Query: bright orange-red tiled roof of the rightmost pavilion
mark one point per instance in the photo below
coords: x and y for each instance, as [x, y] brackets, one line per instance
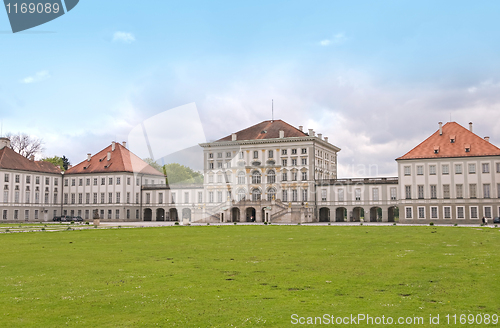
[463, 139]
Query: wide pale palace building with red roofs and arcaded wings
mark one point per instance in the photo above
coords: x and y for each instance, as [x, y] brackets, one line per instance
[270, 172]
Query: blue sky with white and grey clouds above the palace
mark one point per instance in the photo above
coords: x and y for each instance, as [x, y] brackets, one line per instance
[375, 77]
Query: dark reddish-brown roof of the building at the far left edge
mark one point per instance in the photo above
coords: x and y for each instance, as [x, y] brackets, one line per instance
[11, 160]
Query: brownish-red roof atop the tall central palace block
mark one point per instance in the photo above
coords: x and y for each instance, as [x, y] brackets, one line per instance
[266, 130]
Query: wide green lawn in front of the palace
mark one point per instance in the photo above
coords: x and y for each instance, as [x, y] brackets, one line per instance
[245, 276]
